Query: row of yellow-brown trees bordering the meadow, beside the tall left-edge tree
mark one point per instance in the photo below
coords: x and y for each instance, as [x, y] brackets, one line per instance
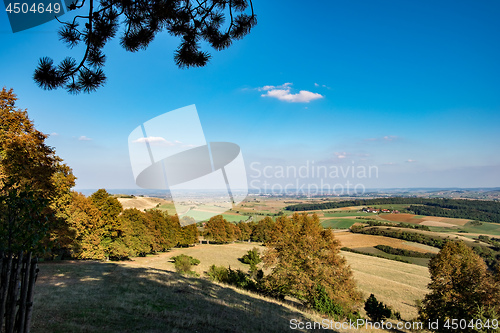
[97, 227]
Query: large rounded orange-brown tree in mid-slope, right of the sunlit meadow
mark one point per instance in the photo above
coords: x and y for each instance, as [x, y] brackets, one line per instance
[304, 260]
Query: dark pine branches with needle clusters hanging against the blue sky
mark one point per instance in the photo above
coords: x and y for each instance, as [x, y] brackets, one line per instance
[142, 20]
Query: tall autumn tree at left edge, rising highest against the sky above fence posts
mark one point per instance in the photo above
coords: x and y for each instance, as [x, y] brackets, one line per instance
[34, 182]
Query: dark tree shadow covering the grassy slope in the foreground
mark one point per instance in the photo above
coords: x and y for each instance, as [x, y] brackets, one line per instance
[84, 296]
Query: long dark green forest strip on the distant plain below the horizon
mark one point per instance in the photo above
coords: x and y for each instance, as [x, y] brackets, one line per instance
[488, 211]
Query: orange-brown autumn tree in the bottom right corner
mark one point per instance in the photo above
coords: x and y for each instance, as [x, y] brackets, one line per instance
[461, 287]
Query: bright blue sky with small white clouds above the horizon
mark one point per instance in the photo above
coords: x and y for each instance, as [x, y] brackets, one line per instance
[409, 90]
